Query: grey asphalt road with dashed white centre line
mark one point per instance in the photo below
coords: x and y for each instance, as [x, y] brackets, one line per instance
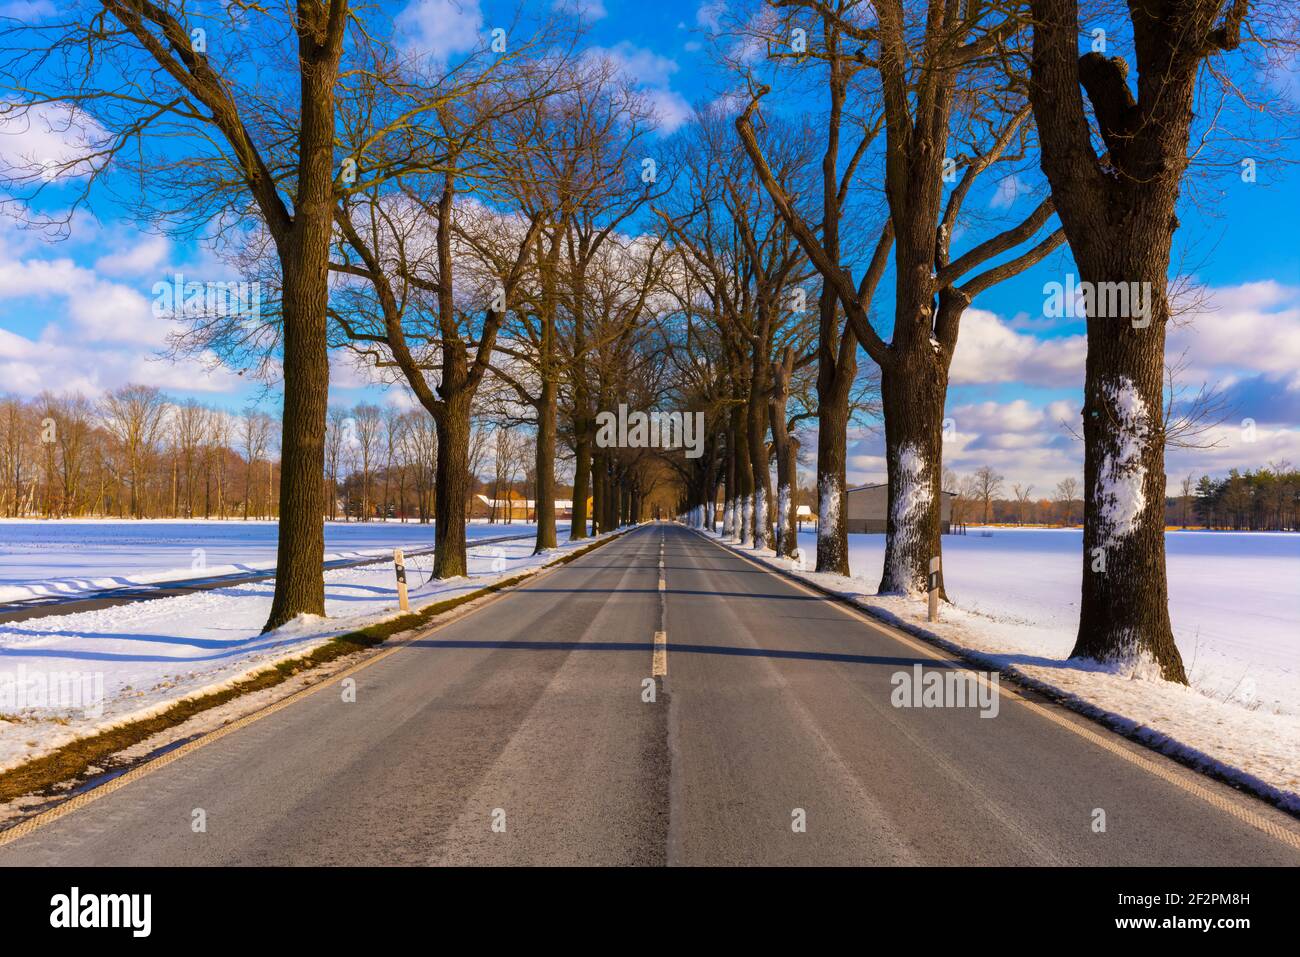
[521, 735]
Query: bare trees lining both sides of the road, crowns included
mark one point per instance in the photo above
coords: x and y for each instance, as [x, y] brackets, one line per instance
[508, 231]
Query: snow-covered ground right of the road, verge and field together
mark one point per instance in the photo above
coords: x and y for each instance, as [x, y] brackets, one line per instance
[1236, 607]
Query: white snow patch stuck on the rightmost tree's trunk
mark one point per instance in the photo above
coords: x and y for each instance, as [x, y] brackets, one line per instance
[1121, 479]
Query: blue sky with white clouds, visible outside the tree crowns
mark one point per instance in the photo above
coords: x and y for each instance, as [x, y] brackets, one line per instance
[76, 315]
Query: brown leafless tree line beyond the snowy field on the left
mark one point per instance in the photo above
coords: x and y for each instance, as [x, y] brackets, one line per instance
[138, 453]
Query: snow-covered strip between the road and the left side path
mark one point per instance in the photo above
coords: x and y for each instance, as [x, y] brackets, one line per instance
[66, 677]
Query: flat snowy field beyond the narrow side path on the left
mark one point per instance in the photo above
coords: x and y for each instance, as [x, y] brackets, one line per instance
[42, 558]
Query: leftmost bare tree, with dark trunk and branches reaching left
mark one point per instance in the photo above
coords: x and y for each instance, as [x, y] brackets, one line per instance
[219, 136]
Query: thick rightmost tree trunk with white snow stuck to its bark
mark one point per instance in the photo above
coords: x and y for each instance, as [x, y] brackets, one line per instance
[1120, 219]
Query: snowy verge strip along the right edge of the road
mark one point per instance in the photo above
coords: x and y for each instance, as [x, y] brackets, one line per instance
[1259, 752]
